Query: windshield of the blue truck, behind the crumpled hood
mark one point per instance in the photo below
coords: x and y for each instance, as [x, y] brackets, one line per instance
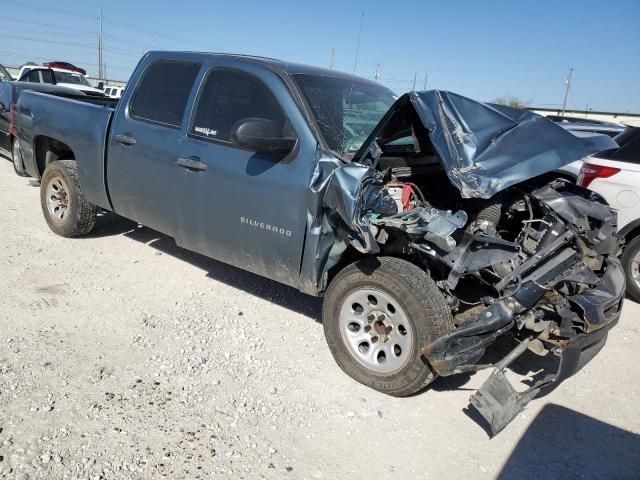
[346, 110]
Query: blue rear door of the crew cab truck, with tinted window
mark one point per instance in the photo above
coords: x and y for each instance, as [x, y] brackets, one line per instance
[145, 142]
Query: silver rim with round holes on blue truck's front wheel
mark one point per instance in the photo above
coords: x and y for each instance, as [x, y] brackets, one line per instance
[376, 330]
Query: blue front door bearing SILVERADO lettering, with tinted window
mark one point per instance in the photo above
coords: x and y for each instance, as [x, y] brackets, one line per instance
[244, 208]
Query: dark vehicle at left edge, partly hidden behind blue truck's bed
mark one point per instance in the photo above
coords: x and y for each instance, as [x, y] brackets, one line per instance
[9, 94]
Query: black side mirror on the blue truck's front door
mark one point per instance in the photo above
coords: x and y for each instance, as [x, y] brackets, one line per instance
[261, 135]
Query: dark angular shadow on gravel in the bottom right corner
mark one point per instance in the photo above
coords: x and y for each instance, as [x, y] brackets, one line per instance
[561, 443]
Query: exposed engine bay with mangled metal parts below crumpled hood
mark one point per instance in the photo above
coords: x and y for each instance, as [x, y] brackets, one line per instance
[483, 252]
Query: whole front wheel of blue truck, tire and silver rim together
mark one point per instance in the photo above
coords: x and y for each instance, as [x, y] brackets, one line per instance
[378, 313]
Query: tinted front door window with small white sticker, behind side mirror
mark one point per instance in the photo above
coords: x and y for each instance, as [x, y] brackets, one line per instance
[229, 96]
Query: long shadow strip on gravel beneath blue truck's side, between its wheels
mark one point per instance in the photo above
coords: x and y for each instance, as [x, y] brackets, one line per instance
[108, 224]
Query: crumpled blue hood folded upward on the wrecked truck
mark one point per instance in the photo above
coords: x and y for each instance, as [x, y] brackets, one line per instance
[486, 148]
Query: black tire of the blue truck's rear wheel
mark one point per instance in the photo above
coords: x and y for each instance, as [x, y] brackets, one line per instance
[79, 216]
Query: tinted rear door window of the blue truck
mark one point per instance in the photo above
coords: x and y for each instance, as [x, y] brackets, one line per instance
[163, 92]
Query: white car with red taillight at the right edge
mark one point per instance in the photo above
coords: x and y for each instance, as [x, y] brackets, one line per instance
[615, 175]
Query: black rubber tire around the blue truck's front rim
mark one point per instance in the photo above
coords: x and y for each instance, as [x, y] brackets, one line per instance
[418, 296]
